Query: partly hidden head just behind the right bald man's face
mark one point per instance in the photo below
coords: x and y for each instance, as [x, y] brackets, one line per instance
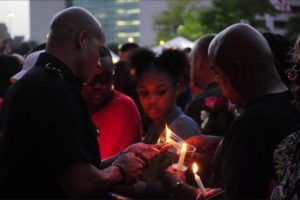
[201, 74]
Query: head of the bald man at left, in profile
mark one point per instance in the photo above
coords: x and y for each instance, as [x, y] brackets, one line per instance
[75, 38]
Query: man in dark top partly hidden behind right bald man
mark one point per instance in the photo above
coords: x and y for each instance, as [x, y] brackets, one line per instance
[219, 116]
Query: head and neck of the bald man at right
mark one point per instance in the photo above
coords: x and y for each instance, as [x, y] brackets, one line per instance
[243, 64]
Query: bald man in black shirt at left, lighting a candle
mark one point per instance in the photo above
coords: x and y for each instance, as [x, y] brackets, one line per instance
[49, 144]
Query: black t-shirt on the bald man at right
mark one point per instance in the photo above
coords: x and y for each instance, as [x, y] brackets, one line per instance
[243, 164]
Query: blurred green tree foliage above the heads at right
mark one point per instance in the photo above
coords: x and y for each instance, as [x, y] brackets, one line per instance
[186, 18]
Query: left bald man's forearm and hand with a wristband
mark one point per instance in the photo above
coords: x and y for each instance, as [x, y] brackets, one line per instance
[82, 180]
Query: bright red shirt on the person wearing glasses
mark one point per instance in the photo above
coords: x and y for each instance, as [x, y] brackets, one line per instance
[119, 123]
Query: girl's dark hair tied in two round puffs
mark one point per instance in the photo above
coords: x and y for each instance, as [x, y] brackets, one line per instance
[173, 62]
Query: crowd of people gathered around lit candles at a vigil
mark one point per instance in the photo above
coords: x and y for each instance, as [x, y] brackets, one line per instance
[73, 124]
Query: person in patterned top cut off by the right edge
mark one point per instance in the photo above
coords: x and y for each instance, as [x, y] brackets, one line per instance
[286, 155]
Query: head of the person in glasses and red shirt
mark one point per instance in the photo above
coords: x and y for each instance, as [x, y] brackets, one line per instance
[98, 90]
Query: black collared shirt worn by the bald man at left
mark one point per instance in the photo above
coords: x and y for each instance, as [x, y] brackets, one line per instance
[46, 127]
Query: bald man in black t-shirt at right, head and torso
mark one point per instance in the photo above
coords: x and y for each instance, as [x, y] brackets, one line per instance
[241, 60]
